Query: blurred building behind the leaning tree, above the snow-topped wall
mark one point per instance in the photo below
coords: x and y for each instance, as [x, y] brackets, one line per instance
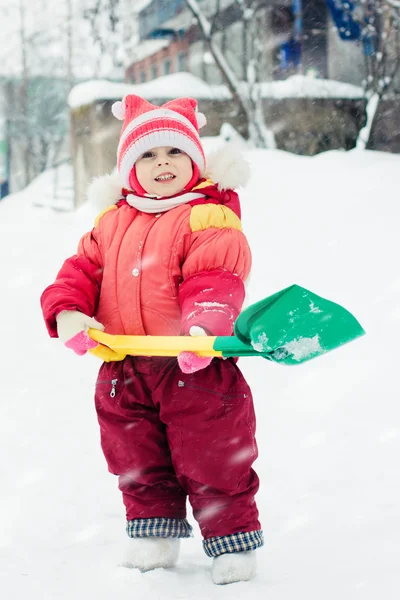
[299, 37]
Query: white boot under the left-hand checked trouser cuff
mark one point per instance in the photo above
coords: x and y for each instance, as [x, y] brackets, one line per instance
[152, 553]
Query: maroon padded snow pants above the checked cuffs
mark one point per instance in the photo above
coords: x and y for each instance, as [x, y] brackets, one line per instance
[169, 435]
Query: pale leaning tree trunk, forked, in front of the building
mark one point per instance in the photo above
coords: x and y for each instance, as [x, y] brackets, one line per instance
[247, 94]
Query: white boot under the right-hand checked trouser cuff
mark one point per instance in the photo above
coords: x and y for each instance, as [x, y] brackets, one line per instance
[238, 566]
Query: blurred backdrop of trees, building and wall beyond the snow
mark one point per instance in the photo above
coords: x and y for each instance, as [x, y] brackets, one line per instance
[305, 76]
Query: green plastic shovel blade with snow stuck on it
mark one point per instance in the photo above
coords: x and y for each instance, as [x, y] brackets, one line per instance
[293, 326]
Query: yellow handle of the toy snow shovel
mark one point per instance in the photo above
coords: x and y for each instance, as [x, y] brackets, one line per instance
[117, 347]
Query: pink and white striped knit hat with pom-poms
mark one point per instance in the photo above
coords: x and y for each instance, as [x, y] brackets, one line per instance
[146, 126]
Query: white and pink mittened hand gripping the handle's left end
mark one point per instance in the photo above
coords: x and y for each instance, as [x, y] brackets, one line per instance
[72, 327]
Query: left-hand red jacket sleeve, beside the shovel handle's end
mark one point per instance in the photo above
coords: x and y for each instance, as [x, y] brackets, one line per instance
[77, 285]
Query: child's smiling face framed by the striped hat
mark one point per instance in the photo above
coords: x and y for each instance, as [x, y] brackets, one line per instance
[164, 171]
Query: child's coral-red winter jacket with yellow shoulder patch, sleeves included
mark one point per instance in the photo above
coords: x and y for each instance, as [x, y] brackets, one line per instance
[158, 274]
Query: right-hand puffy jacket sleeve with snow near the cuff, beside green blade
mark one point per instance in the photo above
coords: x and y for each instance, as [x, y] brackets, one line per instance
[214, 271]
